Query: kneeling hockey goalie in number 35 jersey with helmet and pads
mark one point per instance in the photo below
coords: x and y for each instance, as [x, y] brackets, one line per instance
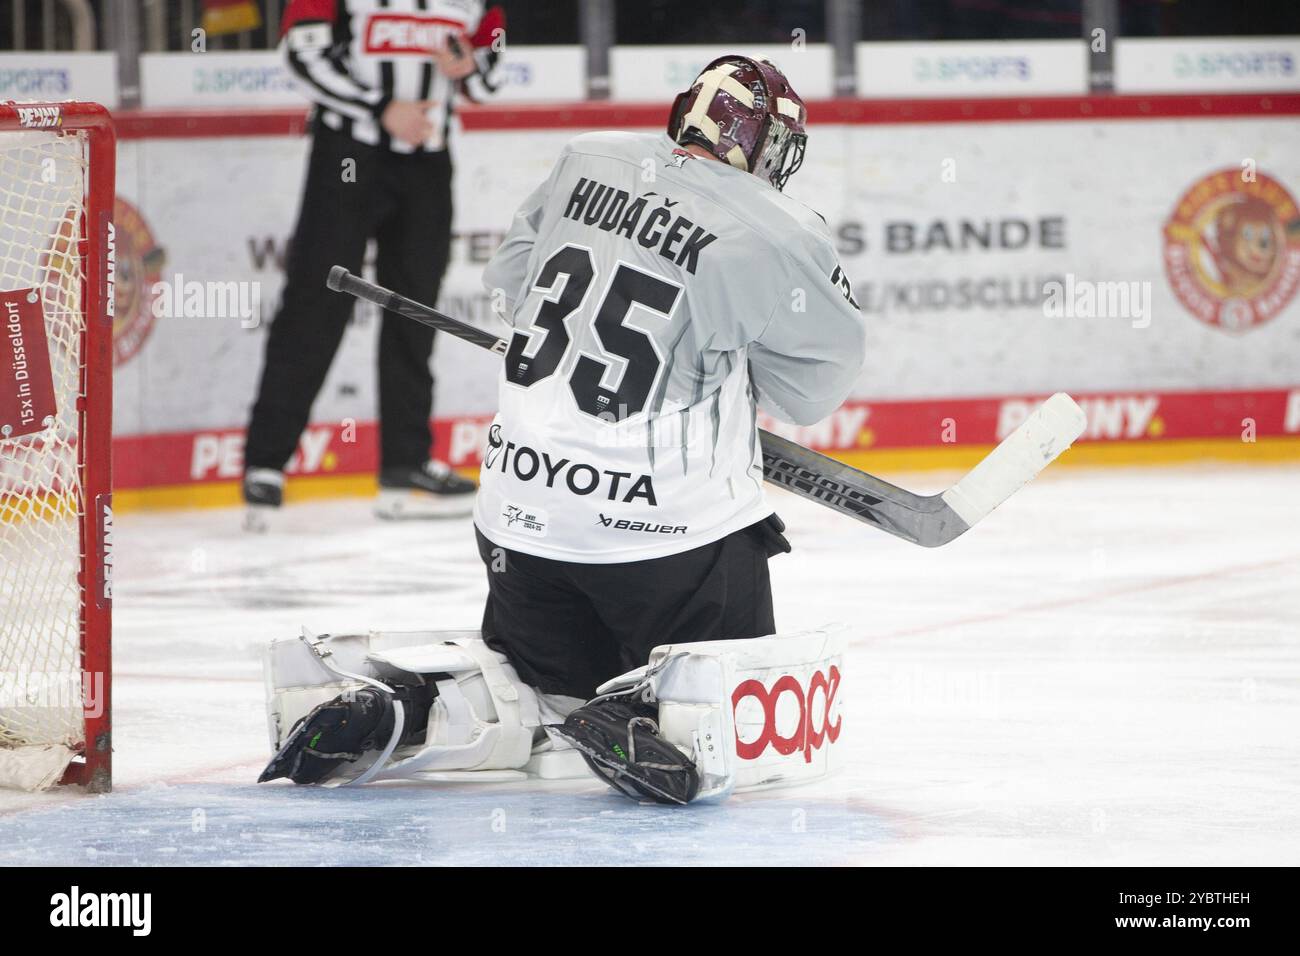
[660, 289]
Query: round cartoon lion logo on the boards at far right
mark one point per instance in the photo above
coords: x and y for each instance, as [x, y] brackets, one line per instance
[1233, 249]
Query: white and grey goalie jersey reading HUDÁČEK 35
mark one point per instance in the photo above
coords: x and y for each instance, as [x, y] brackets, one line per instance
[657, 300]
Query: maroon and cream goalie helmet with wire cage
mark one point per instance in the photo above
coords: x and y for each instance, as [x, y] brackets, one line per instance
[746, 114]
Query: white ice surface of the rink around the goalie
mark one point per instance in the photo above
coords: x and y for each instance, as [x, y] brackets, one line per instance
[1106, 672]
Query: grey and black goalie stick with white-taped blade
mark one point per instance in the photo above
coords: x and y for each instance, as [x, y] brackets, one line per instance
[925, 520]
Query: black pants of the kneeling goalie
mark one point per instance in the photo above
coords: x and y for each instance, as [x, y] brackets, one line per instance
[570, 628]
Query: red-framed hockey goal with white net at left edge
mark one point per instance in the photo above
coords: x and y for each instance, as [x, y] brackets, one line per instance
[57, 197]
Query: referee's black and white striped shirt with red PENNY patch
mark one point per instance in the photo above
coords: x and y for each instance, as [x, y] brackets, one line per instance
[353, 58]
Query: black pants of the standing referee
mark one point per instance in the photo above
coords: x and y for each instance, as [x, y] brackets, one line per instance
[356, 193]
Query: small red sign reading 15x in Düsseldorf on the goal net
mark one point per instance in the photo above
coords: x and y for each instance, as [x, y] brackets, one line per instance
[27, 383]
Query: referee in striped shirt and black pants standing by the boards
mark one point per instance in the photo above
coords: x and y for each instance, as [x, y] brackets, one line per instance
[383, 76]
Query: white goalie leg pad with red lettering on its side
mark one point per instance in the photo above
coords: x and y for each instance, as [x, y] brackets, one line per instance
[753, 713]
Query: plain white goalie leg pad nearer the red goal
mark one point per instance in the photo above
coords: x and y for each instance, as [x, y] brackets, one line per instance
[484, 717]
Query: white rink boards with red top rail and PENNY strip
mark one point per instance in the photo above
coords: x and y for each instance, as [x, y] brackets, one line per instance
[1002, 250]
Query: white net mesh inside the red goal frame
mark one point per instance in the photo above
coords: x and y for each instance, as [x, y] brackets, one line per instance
[42, 204]
